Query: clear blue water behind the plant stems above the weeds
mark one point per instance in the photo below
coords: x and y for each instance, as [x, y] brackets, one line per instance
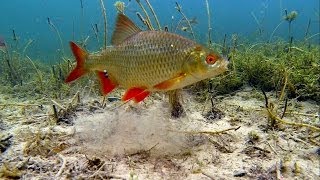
[29, 19]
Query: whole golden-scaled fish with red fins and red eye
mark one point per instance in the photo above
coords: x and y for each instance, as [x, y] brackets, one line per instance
[143, 62]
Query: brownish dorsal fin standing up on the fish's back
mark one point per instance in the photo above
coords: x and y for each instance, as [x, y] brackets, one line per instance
[124, 29]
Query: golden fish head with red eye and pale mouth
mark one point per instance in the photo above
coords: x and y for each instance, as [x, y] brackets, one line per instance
[203, 63]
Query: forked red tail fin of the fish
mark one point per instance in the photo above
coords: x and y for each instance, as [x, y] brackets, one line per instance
[80, 56]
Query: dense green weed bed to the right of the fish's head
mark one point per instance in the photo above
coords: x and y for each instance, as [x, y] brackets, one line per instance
[271, 67]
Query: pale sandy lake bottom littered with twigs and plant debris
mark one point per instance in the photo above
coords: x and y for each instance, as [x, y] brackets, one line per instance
[232, 140]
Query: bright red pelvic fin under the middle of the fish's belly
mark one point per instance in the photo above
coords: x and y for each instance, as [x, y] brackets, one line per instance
[137, 94]
